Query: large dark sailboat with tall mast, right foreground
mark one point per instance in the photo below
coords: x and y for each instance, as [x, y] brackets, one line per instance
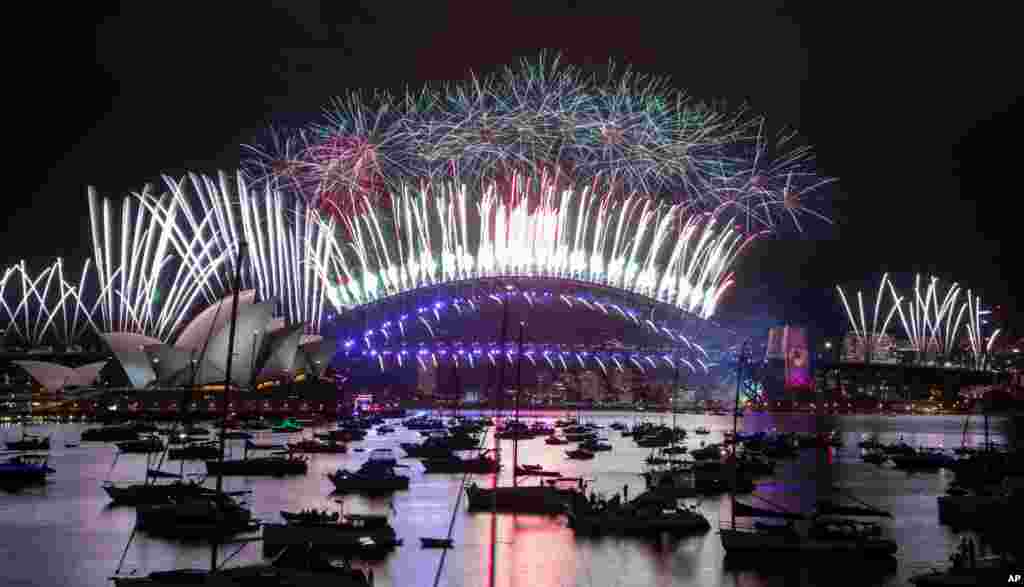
[831, 530]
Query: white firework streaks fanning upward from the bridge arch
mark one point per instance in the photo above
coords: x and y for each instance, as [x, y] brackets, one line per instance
[534, 230]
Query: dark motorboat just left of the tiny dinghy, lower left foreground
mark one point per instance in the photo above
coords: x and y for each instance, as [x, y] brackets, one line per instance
[368, 536]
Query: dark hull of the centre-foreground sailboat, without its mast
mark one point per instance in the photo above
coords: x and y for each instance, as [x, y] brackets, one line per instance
[554, 497]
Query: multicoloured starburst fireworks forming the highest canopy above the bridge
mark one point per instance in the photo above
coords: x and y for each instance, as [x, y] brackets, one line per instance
[628, 134]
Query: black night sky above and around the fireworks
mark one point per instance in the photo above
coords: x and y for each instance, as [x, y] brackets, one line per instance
[917, 113]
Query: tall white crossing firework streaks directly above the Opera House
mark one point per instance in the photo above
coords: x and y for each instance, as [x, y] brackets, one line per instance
[190, 234]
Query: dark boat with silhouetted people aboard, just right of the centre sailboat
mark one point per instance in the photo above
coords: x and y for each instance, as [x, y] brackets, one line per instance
[650, 515]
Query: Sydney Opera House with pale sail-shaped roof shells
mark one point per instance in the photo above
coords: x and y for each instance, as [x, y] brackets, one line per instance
[269, 355]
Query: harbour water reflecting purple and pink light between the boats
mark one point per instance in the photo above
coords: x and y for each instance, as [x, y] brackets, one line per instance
[66, 533]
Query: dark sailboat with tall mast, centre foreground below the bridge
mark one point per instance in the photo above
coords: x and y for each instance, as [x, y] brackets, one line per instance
[552, 497]
